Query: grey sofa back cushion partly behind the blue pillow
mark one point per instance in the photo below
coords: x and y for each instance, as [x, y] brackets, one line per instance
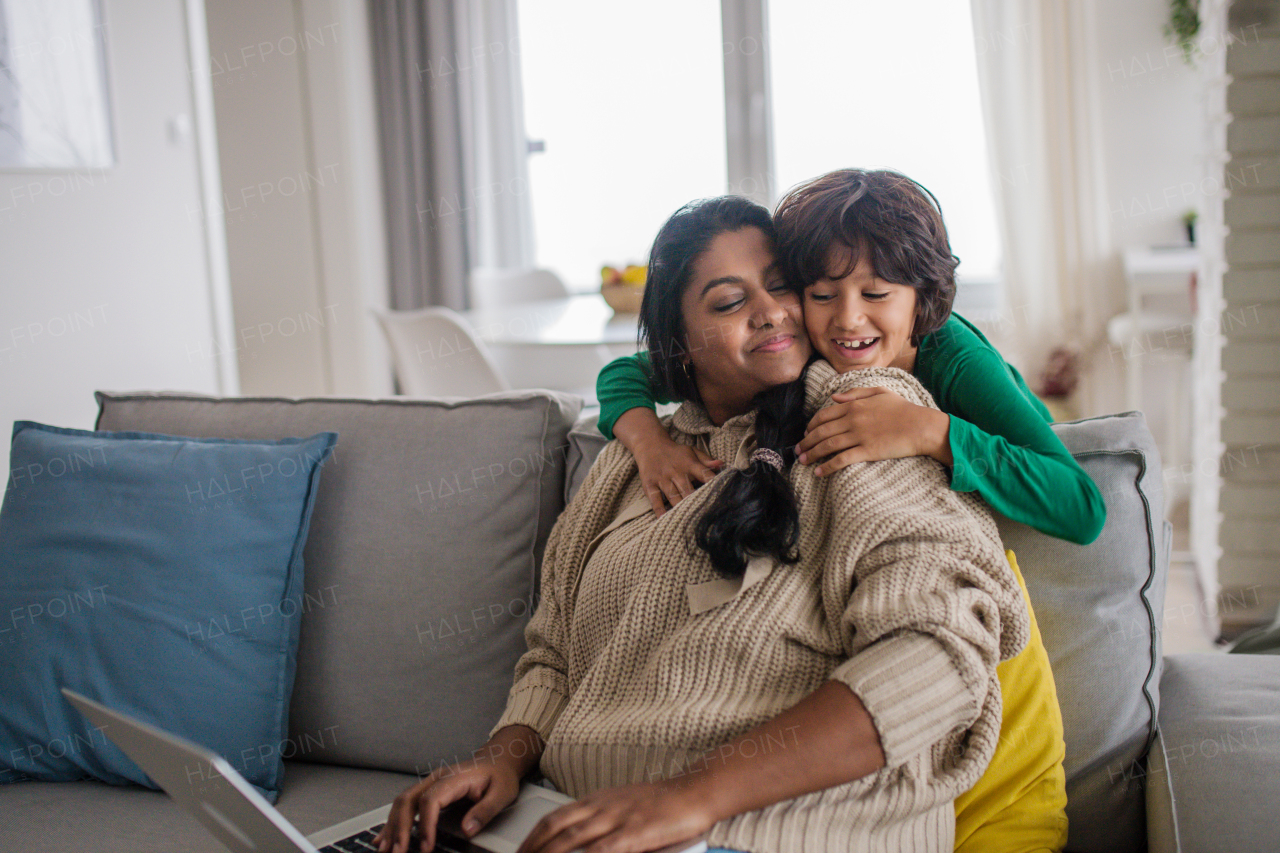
[422, 563]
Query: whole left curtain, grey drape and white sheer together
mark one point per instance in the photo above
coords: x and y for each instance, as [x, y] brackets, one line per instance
[452, 127]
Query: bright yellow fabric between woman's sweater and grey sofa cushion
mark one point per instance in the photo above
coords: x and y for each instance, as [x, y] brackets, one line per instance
[1020, 805]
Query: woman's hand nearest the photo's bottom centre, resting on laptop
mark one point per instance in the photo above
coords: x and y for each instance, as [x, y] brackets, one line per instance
[630, 819]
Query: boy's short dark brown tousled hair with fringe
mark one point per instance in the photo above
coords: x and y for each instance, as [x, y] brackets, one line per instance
[890, 216]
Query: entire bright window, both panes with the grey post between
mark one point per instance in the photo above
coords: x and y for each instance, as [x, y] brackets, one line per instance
[630, 103]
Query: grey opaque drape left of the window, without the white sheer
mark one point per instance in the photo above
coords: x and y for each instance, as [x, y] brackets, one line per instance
[426, 167]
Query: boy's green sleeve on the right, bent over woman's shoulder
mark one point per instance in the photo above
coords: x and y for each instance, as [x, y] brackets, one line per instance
[1005, 451]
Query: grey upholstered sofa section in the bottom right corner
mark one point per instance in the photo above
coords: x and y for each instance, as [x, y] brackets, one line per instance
[1214, 774]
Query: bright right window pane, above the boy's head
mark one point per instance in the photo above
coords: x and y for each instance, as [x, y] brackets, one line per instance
[881, 85]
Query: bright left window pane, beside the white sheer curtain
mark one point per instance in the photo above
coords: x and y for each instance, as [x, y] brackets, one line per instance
[629, 101]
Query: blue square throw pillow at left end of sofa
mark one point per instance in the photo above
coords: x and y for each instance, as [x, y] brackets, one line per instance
[157, 574]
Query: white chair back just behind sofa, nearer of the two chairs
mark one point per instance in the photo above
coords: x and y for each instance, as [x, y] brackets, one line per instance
[437, 355]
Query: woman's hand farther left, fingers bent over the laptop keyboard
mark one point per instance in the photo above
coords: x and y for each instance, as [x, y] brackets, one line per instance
[495, 784]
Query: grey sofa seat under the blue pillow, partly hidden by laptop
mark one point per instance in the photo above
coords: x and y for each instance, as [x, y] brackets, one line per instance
[108, 819]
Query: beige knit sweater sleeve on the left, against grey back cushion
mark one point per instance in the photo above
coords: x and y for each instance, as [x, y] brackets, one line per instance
[542, 688]
